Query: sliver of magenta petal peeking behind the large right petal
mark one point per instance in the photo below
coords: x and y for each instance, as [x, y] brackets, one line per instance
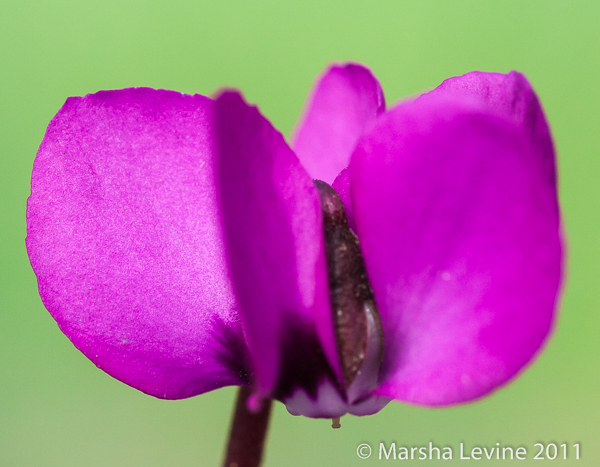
[510, 95]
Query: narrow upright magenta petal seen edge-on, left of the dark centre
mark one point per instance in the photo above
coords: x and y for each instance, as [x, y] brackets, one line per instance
[273, 225]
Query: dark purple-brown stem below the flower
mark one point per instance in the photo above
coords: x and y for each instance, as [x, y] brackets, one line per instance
[248, 432]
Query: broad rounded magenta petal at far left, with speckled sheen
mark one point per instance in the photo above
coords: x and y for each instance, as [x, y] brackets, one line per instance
[123, 233]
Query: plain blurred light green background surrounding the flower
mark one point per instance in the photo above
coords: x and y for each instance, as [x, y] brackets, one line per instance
[58, 409]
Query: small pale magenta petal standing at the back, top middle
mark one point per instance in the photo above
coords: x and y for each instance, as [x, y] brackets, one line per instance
[344, 102]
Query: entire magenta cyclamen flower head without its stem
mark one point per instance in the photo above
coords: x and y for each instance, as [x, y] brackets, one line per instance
[179, 241]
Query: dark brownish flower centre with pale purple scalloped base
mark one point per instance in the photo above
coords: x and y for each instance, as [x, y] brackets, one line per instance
[357, 327]
